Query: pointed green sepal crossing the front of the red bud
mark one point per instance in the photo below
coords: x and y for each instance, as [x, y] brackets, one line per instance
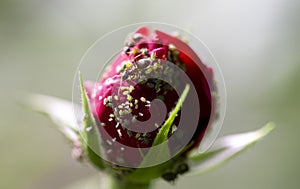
[162, 135]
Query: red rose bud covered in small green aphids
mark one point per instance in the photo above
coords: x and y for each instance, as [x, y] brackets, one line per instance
[125, 103]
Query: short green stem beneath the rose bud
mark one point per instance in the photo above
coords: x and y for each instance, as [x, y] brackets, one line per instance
[121, 183]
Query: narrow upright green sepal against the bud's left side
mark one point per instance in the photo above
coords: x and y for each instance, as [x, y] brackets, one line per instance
[90, 133]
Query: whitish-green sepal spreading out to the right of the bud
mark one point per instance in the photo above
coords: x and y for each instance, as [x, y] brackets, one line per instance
[226, 148]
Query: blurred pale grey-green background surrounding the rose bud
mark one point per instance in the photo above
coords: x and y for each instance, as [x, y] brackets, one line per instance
[256, 43]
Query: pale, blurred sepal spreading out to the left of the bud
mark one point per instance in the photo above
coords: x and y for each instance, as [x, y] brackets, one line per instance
[60, 111]
